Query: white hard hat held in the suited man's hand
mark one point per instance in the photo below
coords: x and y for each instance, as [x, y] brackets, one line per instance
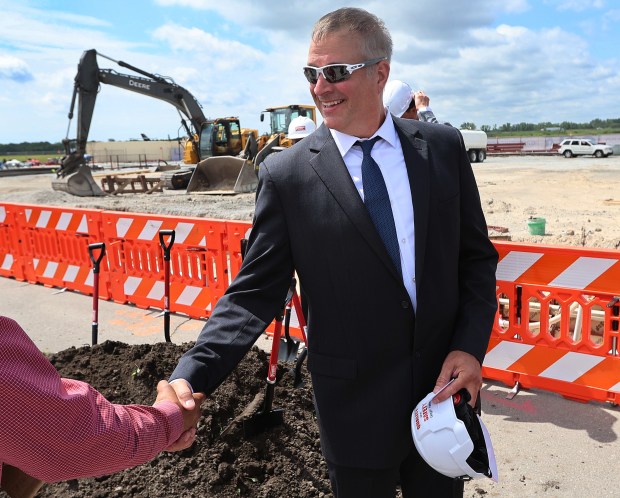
[455, 446]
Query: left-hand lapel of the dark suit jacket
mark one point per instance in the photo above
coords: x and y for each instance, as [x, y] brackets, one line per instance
[329, 166]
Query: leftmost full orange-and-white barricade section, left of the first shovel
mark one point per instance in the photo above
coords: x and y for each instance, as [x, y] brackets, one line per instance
[55, 243]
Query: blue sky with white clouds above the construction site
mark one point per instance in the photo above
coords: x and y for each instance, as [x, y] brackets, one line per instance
[481, 61]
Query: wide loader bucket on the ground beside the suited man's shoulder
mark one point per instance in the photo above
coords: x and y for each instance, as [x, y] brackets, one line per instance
[223, 175]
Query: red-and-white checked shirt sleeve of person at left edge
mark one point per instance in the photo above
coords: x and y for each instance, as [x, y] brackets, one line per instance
[57, 429]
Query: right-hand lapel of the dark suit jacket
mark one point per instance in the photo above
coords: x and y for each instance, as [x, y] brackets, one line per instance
[415, 151]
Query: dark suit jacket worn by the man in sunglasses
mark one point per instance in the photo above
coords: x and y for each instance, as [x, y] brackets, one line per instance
[370, 356]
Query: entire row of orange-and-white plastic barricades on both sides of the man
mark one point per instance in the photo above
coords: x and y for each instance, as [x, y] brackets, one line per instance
[557, 326]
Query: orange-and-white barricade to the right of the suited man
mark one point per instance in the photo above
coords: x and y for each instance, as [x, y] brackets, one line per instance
[558, 321]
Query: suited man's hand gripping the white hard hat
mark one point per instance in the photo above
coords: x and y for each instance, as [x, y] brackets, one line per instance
[466, 371]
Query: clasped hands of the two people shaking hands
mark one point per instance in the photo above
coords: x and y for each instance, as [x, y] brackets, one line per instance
[180, 394]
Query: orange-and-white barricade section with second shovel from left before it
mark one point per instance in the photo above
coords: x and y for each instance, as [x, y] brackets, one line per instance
[198, 261]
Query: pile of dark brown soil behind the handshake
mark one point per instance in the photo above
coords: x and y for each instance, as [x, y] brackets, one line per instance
[285, 461]
